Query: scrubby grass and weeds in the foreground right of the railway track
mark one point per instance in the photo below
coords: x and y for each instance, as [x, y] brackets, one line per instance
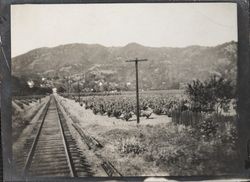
[173, 149]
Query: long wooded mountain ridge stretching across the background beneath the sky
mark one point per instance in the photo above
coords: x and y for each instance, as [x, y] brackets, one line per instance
[165, 67]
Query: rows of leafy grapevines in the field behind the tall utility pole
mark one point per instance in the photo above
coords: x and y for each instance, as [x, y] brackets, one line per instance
[120, 106]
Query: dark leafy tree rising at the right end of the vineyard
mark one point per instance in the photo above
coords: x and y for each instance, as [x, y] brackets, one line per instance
[211, 95]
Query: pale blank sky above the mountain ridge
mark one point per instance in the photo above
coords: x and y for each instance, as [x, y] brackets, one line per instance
[154, 24]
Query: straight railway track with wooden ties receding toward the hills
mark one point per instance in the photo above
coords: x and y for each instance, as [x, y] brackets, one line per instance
[53, 151]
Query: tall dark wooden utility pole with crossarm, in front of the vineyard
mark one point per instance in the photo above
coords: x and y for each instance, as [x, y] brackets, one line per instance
[137, 87]
